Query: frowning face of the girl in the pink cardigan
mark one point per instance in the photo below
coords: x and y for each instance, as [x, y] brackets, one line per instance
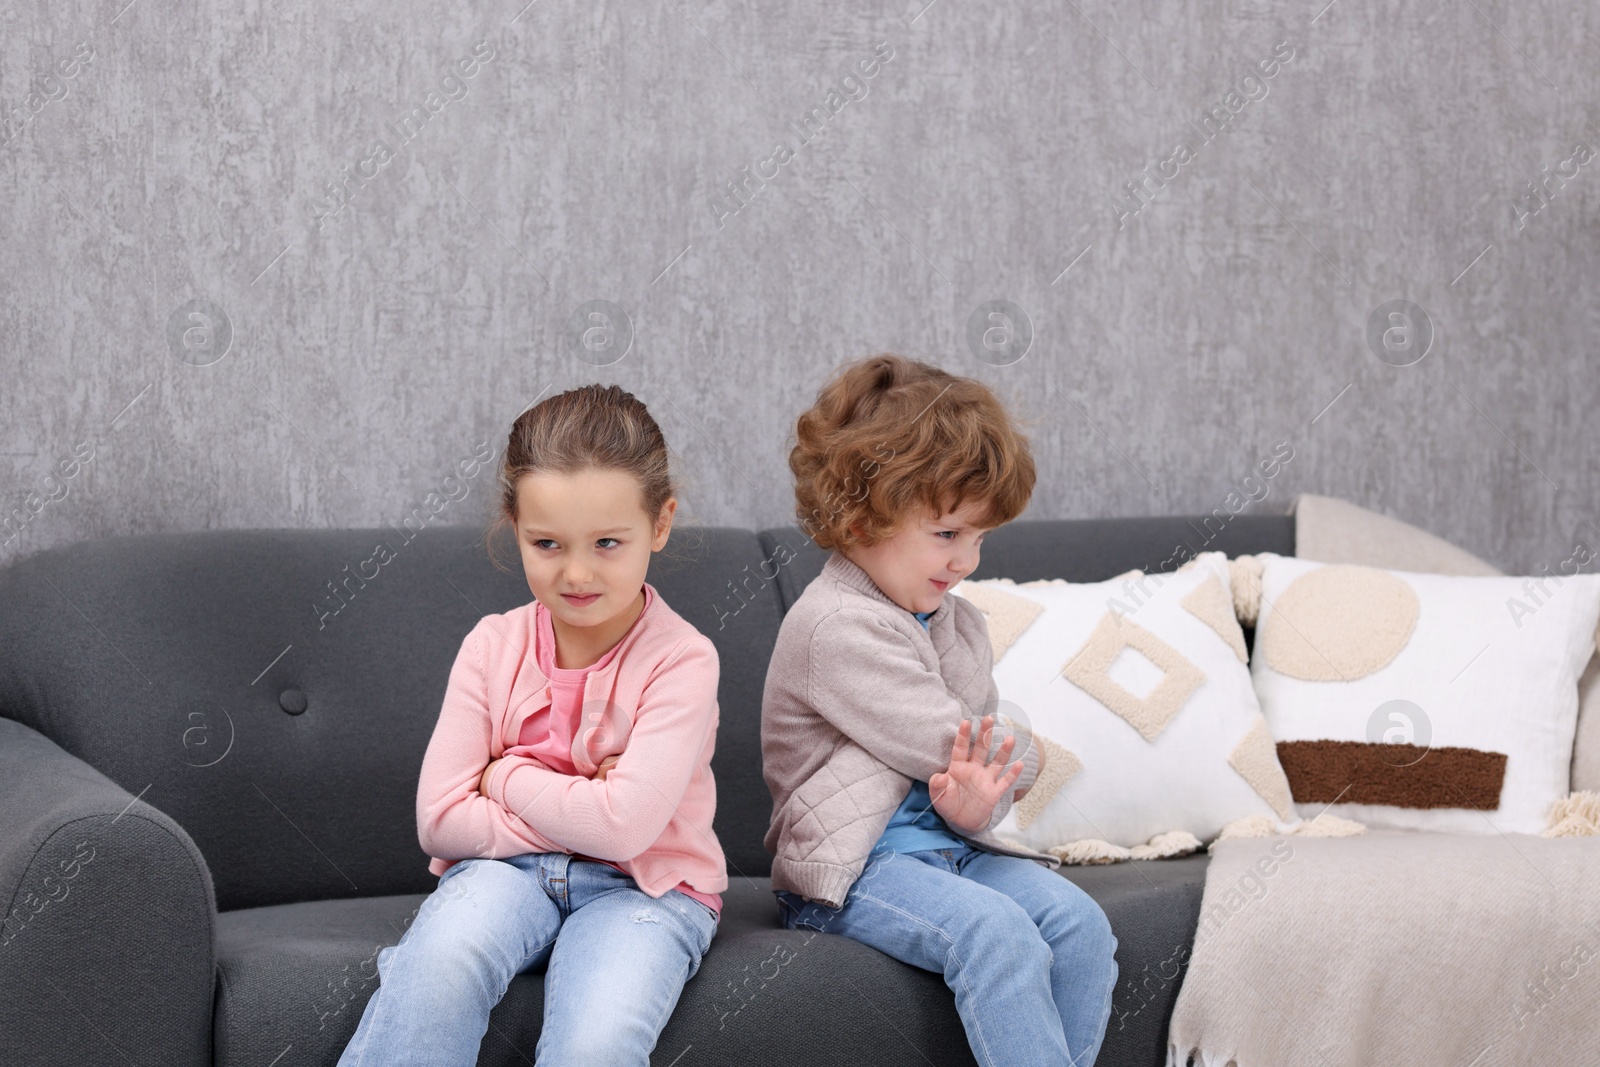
[586, 545]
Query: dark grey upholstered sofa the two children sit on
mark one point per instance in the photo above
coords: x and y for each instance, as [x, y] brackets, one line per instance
[209, 769]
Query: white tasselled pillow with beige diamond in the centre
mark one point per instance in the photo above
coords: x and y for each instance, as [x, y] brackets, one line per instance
[1138, 692]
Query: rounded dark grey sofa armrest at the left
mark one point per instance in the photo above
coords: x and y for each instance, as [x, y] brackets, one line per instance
[108, 919]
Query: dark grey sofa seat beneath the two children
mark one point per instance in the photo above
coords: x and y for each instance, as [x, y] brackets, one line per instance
[298, 977]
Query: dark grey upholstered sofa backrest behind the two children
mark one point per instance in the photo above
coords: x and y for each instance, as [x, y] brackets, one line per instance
[274, 690]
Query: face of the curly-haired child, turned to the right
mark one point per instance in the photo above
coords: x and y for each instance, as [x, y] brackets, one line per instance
[926, 557]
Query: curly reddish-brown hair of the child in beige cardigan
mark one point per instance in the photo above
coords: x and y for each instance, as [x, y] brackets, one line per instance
[890, 436]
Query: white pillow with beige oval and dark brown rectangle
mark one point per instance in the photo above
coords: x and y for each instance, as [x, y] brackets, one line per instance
[1423, 701]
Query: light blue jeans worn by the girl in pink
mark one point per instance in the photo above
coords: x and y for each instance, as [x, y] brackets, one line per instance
[617, 962]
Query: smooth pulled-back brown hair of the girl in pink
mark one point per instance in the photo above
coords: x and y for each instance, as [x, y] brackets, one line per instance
[590, 428]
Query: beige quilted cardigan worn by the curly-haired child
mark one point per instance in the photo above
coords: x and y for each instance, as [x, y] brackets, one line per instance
[860, 701]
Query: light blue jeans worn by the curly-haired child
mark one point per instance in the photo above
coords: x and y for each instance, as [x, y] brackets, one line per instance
[1028, 954]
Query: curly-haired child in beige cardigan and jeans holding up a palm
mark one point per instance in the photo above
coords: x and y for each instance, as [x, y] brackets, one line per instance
[882, 805]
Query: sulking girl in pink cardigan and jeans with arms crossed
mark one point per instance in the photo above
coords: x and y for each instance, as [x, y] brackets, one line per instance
[567, 794]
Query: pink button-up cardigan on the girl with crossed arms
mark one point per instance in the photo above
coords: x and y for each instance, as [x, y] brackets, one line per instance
[655, 705]
